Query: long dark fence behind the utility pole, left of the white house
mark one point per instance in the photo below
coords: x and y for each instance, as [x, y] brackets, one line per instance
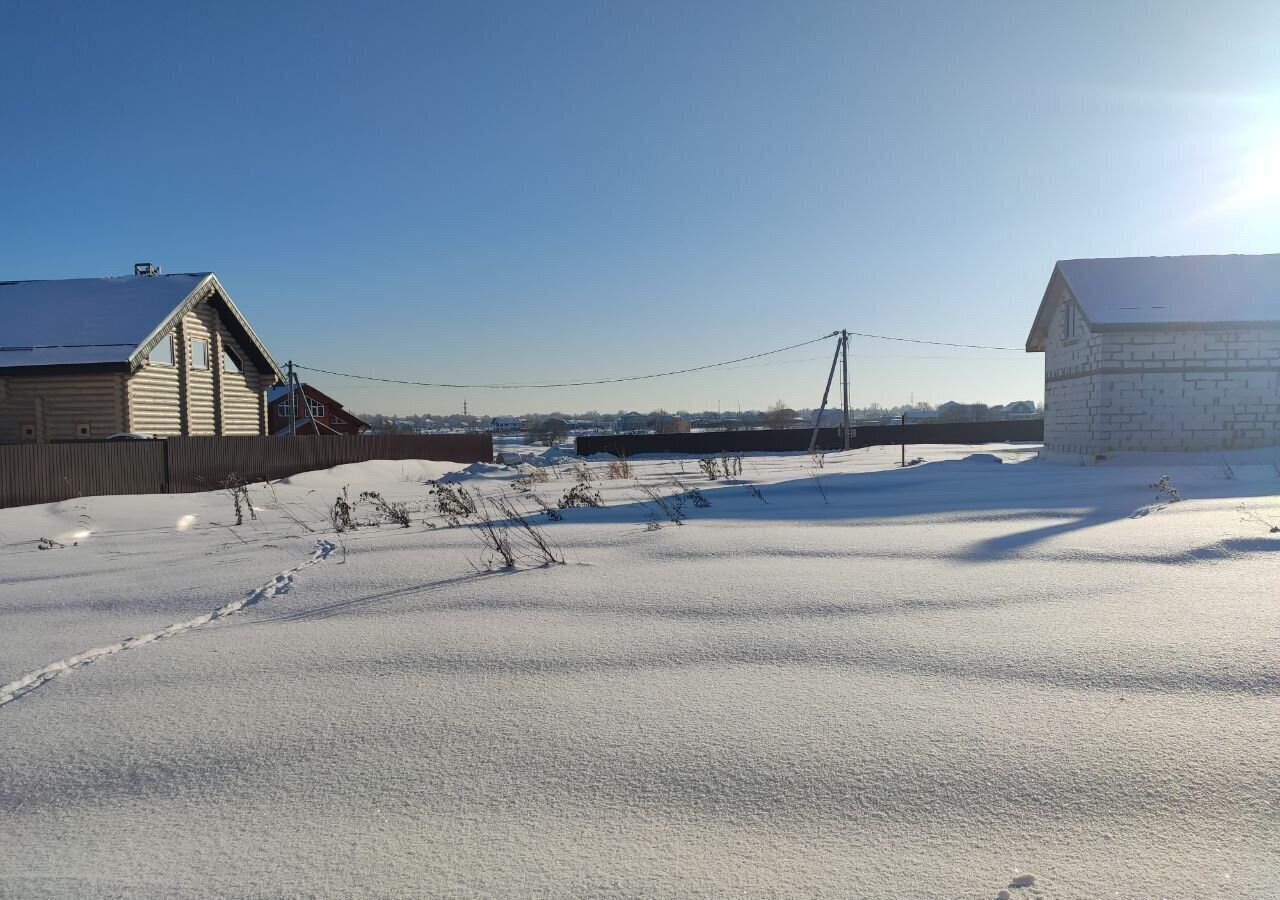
[798, 440]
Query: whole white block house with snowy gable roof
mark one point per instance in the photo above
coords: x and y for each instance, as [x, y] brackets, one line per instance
[1160, 354]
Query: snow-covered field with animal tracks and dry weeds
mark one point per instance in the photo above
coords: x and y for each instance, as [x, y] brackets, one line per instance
[945, 682]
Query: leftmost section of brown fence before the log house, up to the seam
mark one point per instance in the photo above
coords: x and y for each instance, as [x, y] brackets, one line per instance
[52, 473]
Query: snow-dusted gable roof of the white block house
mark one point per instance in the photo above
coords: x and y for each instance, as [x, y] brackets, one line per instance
[1154, 293]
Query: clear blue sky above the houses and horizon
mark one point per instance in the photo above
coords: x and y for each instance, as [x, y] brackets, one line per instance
[525, 193]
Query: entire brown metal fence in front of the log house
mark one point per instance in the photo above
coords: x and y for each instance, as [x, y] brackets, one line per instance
[51, 473]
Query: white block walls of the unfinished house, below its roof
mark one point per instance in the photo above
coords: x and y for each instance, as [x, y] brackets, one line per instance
[1162, 390]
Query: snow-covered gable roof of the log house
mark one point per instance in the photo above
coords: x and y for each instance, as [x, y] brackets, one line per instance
[108, 322]
